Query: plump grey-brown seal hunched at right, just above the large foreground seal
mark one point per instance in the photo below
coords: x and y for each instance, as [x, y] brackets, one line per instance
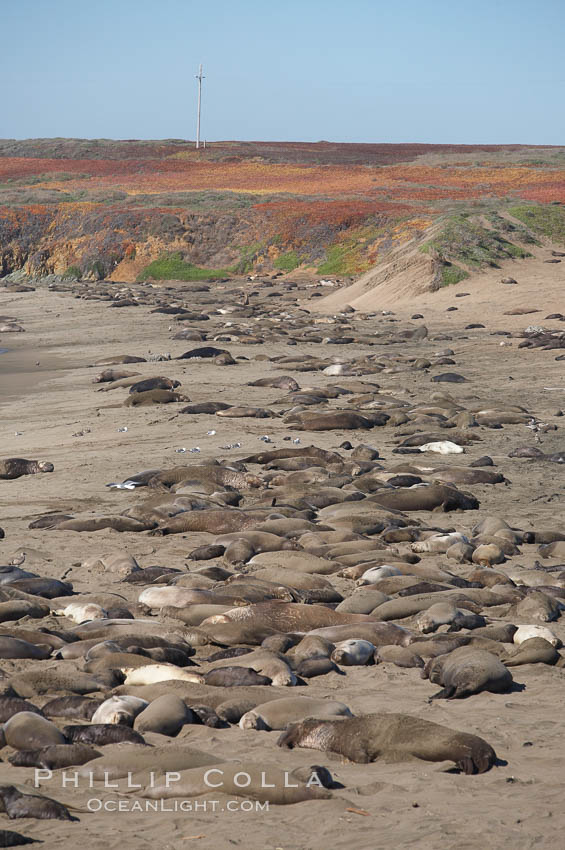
[466, 671]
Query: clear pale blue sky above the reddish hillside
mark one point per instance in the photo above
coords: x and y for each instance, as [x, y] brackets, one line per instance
[448, 71]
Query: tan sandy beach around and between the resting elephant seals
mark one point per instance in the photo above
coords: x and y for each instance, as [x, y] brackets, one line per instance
[51, 410]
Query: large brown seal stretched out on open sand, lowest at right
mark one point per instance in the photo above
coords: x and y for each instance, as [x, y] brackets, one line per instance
[394, 737]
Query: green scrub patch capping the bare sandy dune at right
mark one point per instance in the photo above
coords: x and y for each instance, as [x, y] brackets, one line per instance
[464, 240]
